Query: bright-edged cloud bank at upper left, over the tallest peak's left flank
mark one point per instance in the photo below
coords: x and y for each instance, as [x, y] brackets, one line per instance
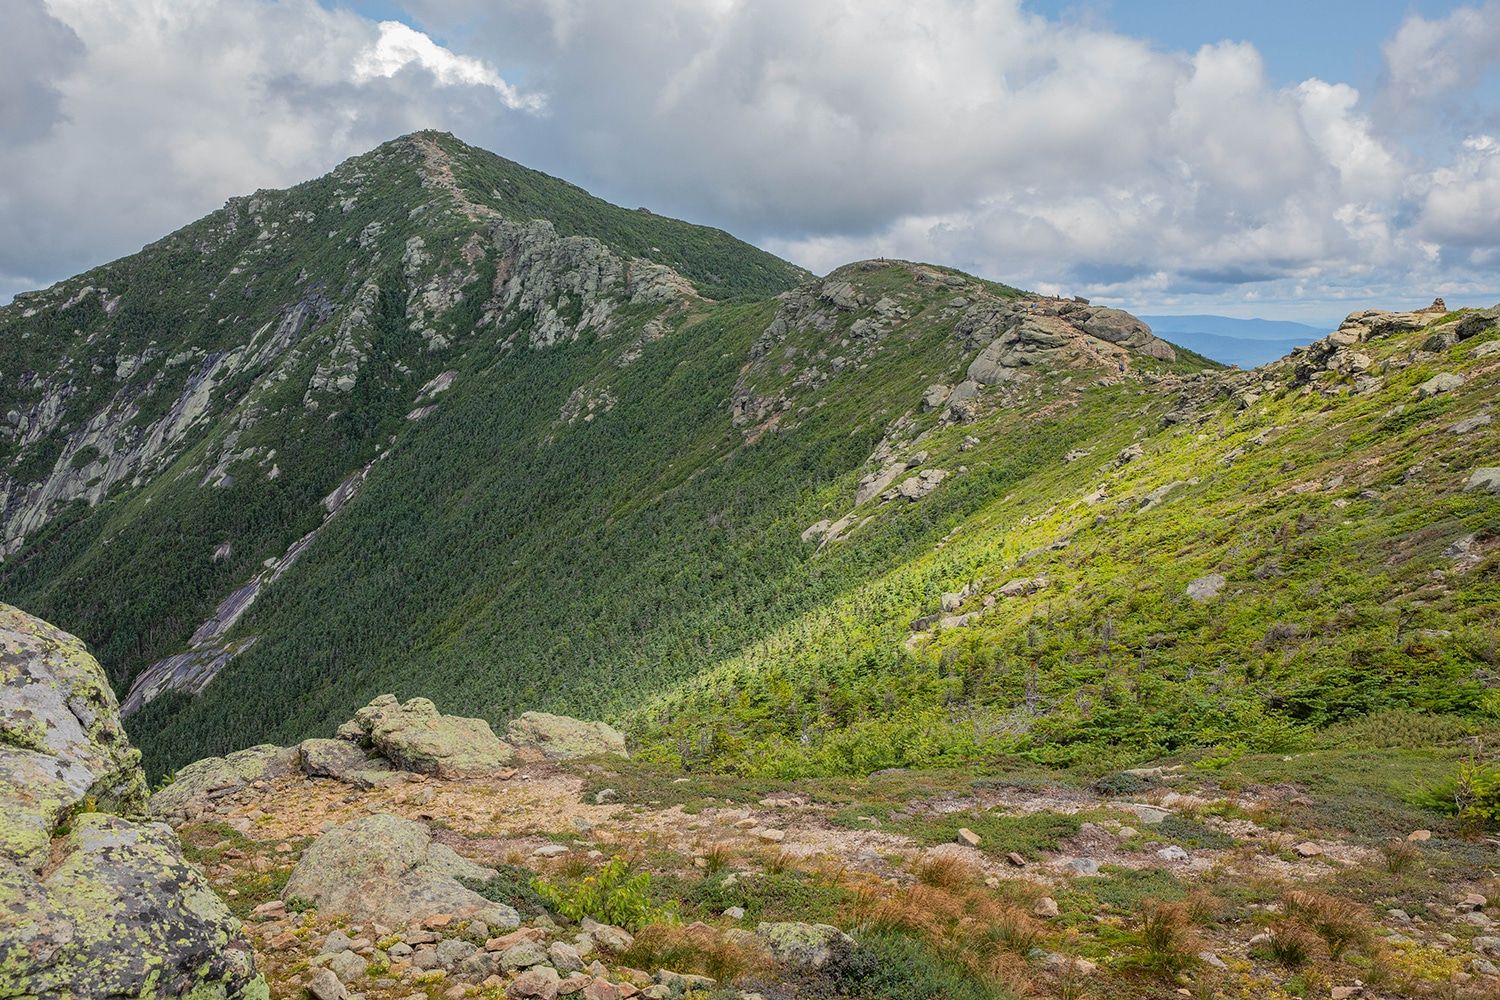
[164, 109]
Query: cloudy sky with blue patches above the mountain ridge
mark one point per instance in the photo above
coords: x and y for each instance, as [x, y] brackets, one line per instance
[1276, 160]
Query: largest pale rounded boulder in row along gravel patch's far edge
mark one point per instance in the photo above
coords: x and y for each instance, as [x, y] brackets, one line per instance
[416, 737]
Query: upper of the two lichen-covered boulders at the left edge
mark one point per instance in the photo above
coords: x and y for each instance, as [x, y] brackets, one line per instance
[61, 737]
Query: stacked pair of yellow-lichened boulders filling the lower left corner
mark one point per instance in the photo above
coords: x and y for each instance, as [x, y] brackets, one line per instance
[95, 903]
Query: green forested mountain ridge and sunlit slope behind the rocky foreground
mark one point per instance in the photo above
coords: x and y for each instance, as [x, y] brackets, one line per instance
[440, 425]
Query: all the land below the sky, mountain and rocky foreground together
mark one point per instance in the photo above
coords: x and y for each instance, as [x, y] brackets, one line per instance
[508, 594]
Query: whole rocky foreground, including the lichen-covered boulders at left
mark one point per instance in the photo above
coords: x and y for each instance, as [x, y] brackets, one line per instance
[416, 855]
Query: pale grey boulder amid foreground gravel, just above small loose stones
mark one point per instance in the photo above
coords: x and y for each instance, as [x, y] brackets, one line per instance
[386, 869]
